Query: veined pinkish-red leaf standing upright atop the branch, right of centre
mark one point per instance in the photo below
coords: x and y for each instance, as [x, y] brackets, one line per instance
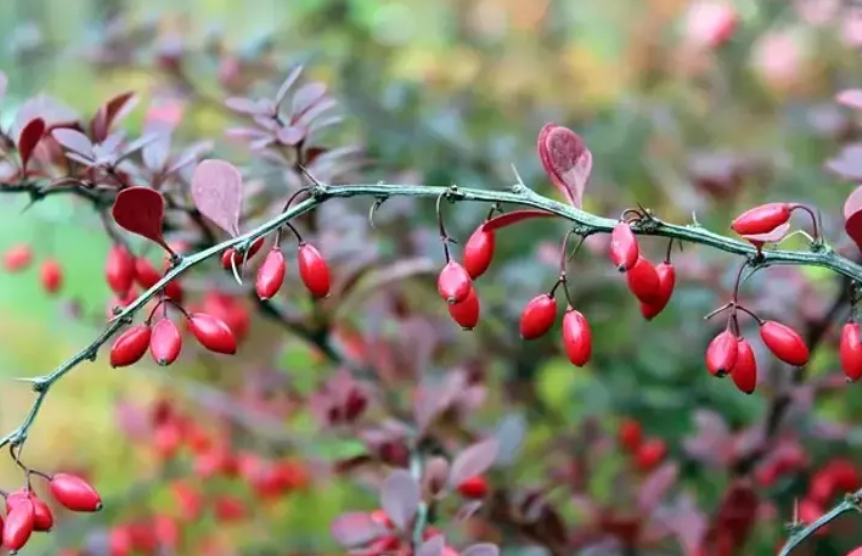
[566, 160]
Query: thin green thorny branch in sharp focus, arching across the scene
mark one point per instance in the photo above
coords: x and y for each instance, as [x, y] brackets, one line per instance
[585, 224]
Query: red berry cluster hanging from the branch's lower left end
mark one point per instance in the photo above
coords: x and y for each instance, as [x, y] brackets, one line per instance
[26, 513]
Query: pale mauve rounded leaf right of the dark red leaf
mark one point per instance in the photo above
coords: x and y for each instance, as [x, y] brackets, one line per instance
[217, 193]
